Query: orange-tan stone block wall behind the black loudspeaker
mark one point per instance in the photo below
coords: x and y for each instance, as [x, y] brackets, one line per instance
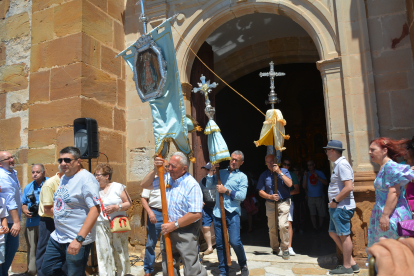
[57, 63]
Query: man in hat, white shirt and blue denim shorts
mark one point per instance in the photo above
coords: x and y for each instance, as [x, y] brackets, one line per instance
[341, 206]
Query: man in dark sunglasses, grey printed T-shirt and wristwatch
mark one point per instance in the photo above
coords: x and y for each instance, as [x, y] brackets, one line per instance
[75, 210]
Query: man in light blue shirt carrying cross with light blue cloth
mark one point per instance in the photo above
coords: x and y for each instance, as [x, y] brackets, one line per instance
[234, 189]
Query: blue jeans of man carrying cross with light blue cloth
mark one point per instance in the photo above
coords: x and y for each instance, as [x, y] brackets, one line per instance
[233, 226]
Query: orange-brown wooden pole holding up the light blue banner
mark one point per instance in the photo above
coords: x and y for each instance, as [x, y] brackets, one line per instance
[167, 239]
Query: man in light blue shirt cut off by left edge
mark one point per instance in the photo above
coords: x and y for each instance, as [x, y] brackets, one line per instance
[10, 191]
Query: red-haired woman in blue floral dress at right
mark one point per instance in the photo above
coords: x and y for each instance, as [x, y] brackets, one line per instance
[390, 204]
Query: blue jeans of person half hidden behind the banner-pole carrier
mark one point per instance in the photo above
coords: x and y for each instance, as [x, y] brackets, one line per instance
[153, 233]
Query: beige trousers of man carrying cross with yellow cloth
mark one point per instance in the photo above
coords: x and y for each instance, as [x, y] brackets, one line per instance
[283, 212]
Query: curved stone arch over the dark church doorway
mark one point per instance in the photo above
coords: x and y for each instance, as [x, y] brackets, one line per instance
[212, 15]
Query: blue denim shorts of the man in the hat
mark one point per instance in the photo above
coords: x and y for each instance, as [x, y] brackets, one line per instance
[340, 221]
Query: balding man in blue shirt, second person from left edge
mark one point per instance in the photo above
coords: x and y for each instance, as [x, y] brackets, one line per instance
[30, 201]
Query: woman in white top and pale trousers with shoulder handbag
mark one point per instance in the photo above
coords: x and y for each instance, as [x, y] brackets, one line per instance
[112, 248]
